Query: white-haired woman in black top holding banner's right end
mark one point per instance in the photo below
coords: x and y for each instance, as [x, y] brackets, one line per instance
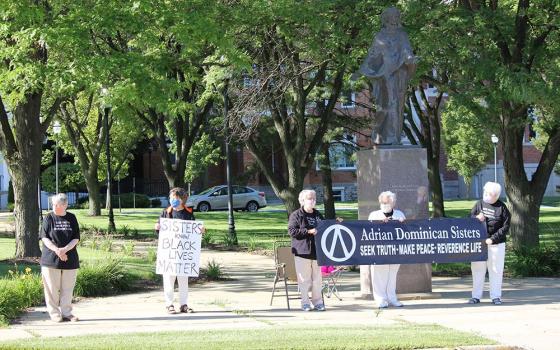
[496, 216]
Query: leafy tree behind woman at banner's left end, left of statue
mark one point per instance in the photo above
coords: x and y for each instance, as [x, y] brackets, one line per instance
[299, 54]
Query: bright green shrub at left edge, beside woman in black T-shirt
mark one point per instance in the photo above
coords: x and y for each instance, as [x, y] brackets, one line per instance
[18, 292]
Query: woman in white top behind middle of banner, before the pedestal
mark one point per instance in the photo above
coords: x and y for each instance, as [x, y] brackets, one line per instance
[384, 277]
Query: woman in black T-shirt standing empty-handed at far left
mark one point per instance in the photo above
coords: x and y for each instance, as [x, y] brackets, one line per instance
[60, 234]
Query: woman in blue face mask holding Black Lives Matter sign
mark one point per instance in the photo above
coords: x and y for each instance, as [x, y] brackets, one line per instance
[176, 210]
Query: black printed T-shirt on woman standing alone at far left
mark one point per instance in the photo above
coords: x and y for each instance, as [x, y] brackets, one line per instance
[60, 230]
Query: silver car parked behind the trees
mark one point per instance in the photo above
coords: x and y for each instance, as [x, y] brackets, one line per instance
[216, 198]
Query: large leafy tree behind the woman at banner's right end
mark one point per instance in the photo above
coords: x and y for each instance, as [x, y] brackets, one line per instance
[506, 54]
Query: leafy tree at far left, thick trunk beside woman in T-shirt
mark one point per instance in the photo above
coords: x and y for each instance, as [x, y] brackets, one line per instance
[36, 38]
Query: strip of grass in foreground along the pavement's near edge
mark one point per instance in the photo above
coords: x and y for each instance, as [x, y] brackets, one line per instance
[402, 336]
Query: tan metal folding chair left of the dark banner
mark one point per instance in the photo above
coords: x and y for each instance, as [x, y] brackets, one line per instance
[285, 268]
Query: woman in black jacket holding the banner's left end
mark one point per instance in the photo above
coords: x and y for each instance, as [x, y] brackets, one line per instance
[302, 228]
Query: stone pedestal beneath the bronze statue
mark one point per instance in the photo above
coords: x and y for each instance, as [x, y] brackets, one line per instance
[403, 171]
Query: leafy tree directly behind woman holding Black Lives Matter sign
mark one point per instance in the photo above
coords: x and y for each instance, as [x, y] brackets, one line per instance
[170, 48]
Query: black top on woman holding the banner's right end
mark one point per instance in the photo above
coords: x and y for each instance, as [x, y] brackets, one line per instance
[497, 219]
